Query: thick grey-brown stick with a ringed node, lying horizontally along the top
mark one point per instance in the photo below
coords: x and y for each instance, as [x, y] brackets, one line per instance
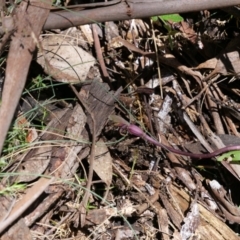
[131, 9]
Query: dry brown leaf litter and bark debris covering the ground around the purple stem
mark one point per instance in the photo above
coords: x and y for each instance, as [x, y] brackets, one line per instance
[137, 191]
